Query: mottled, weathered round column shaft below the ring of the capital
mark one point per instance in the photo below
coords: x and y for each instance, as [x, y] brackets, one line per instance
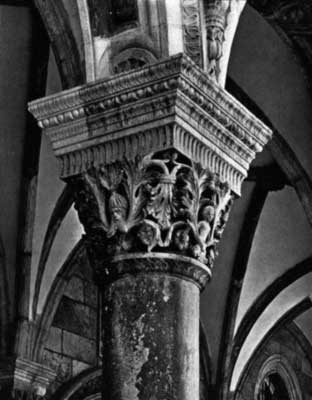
[150, 342]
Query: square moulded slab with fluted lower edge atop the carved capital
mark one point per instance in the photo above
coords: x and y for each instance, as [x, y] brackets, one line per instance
[170, 104]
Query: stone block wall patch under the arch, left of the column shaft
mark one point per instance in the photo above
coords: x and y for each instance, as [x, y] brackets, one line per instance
[71, 346]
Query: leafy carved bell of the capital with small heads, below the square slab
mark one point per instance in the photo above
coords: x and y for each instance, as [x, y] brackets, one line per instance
[160, 203]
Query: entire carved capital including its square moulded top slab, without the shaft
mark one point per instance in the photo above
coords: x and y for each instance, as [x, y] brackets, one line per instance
[155, 157]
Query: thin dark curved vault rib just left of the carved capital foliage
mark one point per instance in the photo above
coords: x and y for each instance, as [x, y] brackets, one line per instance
[63, 205]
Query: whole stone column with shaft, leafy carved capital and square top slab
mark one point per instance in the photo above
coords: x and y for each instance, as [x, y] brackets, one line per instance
[155, 157]
